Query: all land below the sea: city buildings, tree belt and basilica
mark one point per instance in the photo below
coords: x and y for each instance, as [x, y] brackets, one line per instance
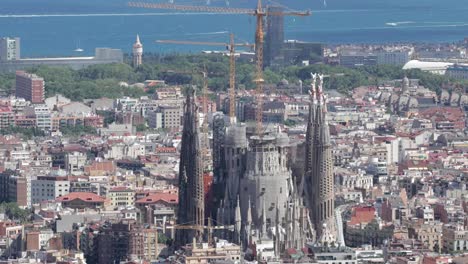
[364, 162]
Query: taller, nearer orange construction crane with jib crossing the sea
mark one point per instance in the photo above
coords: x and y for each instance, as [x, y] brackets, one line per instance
[259, 13]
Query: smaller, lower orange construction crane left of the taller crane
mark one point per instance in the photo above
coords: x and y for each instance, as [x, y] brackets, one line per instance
[231, 46]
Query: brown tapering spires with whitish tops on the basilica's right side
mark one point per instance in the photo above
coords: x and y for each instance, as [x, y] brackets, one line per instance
[318, 182]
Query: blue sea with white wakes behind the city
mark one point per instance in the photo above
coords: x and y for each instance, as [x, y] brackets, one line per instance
[58, 27]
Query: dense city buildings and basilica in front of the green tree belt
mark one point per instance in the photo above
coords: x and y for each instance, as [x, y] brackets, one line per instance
[355, 177]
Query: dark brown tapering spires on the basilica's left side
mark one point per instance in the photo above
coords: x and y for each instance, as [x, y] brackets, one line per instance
[191, 185]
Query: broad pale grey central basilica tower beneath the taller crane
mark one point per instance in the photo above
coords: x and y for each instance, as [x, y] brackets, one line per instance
[265, 185]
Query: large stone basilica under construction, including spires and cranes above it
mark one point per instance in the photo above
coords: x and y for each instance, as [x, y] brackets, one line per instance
[257, 202]
